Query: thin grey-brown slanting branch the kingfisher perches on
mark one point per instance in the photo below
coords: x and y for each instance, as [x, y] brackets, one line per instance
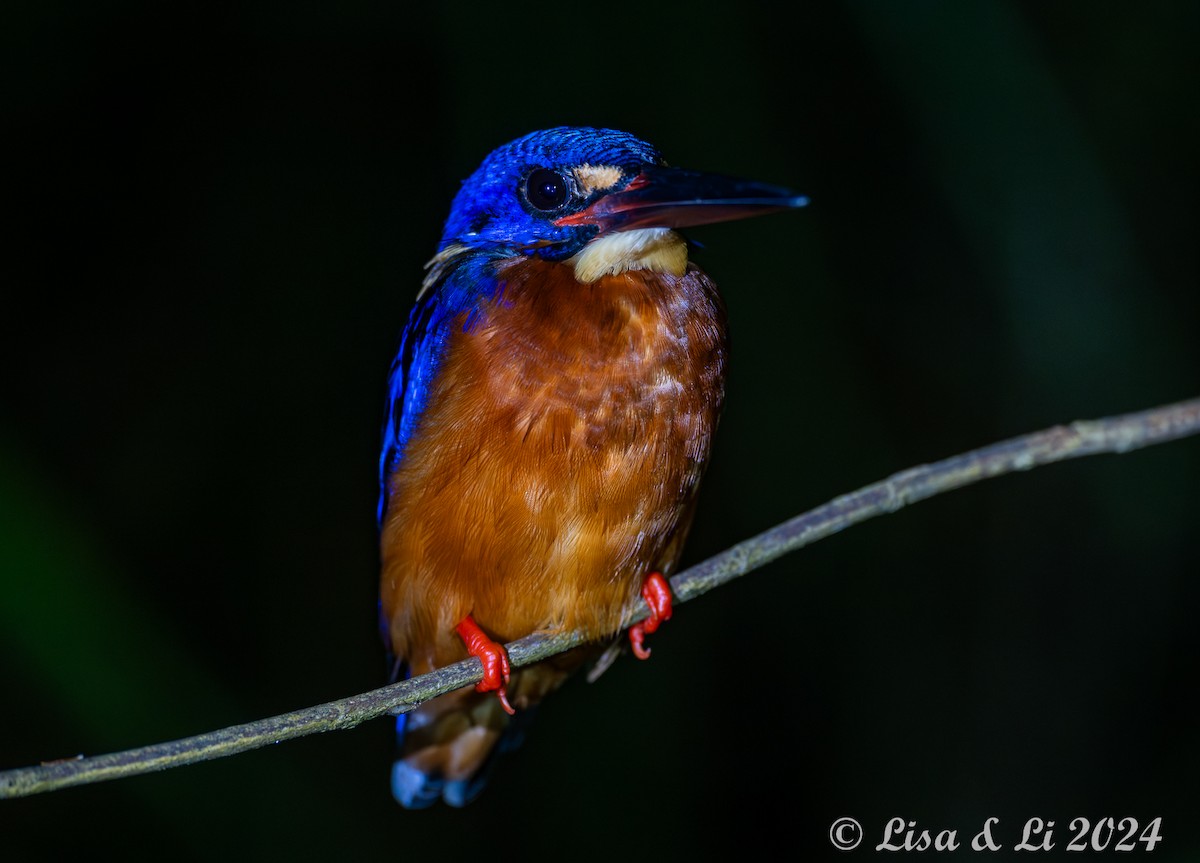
[1078, 440]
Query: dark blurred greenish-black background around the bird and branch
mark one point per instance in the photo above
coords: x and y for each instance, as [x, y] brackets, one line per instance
[218, 220]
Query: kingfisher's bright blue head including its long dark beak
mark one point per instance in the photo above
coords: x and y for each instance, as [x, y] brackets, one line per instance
[555, 193]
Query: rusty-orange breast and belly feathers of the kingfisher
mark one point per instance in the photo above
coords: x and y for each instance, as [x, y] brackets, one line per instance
[559, 459]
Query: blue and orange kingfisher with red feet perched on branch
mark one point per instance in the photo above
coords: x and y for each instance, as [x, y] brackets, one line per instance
[549, 418]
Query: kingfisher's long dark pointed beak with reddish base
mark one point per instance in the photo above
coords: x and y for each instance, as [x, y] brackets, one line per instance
[675, 199]
